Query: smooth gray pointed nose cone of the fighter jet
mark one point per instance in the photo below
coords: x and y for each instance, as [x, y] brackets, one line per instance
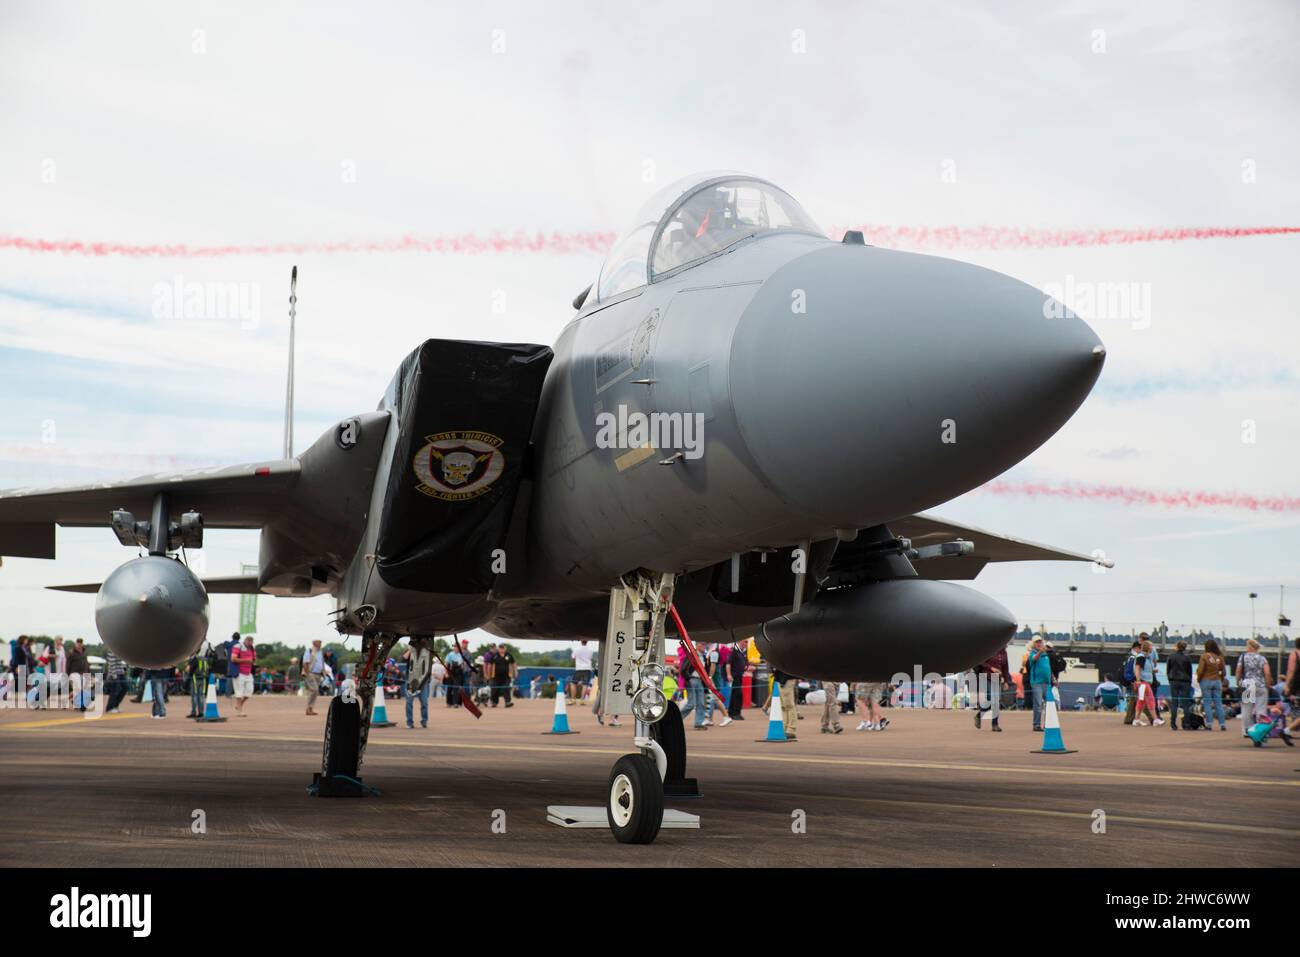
[872, 384]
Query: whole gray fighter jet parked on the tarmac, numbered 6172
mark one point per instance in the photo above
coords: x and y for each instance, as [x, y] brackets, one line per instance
[739, 430]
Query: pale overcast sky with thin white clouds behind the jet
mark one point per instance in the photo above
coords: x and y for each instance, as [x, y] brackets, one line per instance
[218, 124]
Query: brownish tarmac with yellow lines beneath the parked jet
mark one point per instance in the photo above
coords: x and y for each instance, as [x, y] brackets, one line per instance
[931, 791]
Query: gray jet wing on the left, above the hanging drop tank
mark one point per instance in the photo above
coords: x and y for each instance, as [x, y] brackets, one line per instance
[229, 497]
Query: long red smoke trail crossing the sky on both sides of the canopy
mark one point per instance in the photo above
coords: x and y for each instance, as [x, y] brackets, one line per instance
[597, 243]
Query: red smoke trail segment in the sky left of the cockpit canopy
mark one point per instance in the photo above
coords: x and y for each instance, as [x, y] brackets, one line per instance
[466, 244]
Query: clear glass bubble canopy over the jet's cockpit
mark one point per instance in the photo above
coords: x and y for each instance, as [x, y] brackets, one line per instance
[692, 220]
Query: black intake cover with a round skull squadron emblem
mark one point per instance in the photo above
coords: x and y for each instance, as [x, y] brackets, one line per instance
[466, 415]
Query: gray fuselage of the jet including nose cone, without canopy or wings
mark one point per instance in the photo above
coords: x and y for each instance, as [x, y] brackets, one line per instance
[839, 387]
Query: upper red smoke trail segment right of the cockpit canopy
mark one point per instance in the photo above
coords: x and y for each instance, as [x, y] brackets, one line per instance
[1019, 239]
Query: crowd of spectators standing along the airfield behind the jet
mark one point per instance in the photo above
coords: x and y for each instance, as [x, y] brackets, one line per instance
[712, 687]
